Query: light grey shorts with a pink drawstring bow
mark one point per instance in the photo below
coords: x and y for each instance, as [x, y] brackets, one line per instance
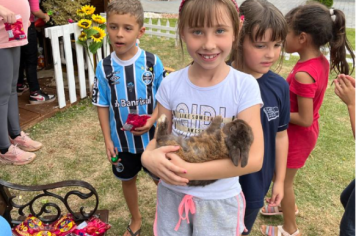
[206, 217]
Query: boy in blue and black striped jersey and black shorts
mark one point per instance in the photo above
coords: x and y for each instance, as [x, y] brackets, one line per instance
[126, 82]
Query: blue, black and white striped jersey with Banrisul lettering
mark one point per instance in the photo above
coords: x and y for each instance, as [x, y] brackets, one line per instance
[128, 87]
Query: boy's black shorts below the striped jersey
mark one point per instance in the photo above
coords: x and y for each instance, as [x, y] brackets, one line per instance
[129, 166]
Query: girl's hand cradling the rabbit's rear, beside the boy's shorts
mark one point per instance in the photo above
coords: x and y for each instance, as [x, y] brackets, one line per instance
[157, 162]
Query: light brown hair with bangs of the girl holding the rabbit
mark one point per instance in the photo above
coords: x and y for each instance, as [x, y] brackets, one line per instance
[198, 13]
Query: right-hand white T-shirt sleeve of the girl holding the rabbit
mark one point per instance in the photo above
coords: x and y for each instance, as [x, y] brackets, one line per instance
[250, 94]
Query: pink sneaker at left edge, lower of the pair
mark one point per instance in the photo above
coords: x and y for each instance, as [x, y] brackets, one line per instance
[15, 156]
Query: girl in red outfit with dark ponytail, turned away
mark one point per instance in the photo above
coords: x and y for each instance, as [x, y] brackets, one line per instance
[309, 27]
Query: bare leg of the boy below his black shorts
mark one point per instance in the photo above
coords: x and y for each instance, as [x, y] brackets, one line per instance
[131, 197]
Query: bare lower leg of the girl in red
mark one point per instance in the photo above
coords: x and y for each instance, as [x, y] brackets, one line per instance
[288, 202]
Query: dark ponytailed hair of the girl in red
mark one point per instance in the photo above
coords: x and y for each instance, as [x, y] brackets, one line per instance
[324, 26]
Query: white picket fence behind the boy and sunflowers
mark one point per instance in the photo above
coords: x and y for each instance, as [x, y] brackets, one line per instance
[66, 35]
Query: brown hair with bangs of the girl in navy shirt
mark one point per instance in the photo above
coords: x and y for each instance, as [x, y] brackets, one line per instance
[259, 16]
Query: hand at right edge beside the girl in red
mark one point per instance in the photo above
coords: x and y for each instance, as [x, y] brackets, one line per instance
[345, 89]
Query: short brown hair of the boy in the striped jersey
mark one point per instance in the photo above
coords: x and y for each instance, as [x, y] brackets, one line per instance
[121, 7]
